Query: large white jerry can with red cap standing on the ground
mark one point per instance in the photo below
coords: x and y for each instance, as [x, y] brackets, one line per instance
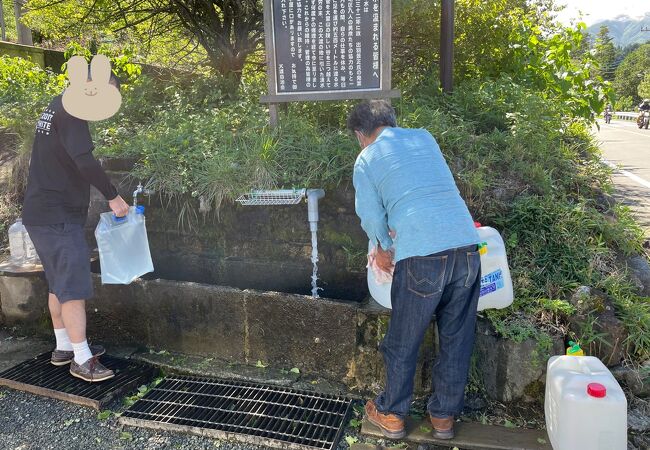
[585, 406]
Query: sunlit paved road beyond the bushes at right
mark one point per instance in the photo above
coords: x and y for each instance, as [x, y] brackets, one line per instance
[627, 147]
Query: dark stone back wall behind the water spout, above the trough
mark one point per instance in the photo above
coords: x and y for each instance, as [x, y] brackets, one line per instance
[251, 247]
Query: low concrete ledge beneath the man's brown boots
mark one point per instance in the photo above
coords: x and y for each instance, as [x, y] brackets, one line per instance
[471, 436]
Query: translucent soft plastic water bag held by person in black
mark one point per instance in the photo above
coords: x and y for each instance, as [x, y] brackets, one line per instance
[123, 247]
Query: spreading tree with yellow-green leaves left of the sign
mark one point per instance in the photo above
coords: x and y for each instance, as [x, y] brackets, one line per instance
[229, 31]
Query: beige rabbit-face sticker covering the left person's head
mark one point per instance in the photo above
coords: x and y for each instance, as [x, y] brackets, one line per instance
[91, 98]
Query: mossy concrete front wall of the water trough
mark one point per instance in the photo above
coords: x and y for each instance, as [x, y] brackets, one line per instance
[337, 340]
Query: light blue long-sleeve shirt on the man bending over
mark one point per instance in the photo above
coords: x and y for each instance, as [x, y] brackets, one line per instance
[402, 183]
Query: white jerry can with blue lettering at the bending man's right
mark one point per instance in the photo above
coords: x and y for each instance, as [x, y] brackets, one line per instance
[496, 282]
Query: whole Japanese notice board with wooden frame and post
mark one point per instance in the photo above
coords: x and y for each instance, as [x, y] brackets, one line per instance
[327, 50]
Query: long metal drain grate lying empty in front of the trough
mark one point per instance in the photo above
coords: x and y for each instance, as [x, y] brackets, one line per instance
[247, 412]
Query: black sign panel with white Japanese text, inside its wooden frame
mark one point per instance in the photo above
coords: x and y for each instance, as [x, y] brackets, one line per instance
[327, 45]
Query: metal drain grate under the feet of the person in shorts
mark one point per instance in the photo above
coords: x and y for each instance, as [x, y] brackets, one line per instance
[40, 377]
